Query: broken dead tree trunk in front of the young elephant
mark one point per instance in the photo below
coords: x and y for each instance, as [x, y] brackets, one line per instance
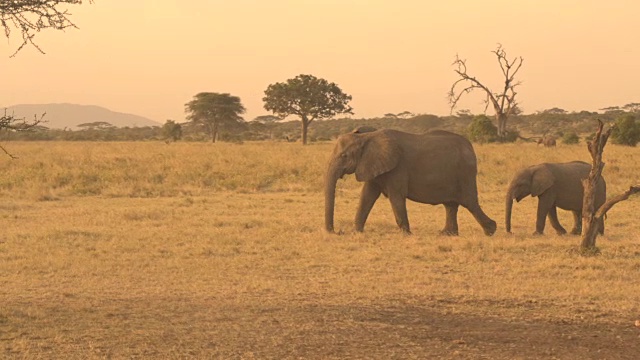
[590, 215]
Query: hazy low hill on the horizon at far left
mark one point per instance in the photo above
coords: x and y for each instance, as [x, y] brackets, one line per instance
[70, 116]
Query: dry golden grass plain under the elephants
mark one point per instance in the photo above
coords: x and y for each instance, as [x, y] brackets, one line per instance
[195, 250]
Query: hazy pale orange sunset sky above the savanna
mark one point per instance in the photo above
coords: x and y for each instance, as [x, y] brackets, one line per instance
[149, 57]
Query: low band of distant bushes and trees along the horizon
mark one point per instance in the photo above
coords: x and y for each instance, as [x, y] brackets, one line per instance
[567, 127]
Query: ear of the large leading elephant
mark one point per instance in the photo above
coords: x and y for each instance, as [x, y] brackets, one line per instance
[380, 154]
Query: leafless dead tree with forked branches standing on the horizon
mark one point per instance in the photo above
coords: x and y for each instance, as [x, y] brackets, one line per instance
[503, 102]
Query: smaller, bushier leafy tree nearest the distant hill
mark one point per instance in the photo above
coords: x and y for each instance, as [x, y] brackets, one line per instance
[214, 110]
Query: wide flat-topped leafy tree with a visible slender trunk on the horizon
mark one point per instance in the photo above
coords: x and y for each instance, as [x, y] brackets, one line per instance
[308, 97]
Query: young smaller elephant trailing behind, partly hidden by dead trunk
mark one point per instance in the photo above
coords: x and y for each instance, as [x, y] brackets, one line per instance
[557, 185]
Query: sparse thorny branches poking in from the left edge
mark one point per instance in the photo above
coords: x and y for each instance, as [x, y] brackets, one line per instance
[30, 17]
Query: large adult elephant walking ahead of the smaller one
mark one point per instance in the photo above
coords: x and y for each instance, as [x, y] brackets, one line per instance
[438, 167]
